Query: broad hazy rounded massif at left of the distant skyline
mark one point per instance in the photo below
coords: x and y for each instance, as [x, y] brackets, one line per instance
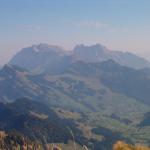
[38, 57]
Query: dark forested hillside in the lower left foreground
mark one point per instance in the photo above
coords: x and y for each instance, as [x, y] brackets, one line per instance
[37, 124]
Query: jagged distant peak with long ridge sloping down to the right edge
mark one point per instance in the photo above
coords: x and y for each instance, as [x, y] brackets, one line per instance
[99, 53]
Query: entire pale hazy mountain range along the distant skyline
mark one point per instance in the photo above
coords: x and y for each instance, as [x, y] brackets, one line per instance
[39, 57]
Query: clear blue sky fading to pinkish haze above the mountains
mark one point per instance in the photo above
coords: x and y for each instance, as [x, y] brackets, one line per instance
[118, 24]
